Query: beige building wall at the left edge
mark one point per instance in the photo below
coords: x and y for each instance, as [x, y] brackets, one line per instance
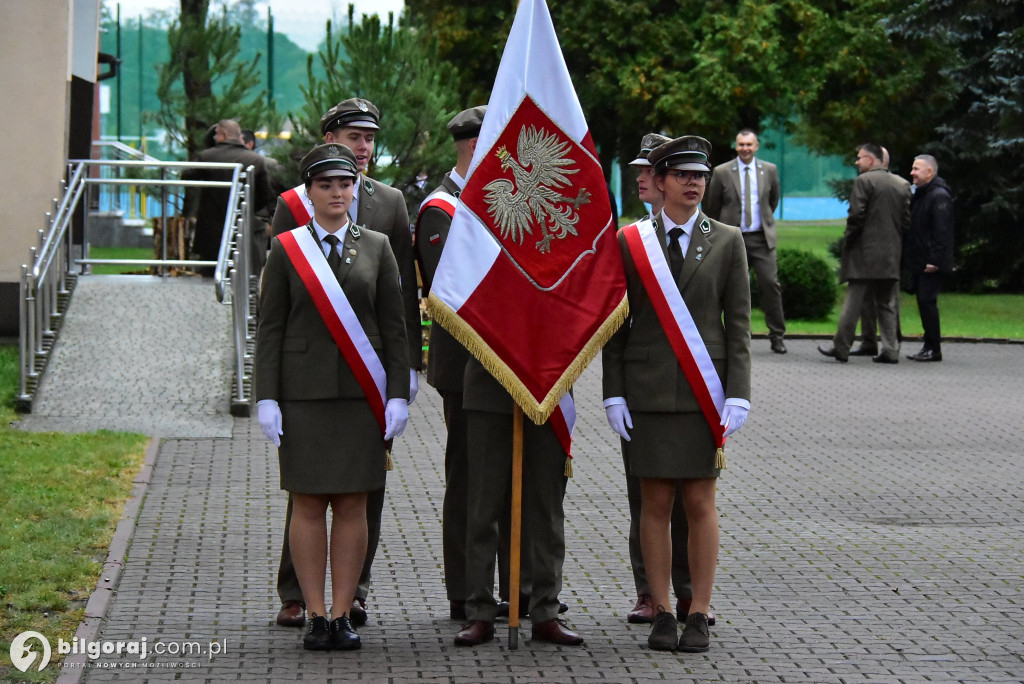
[36, 65]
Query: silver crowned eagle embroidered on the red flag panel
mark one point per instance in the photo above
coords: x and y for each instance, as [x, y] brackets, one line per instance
[534, 197]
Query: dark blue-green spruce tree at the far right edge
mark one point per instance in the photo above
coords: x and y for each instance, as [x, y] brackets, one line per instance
[978, 140]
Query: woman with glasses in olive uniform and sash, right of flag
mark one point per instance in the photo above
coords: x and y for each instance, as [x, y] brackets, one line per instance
[677, 376]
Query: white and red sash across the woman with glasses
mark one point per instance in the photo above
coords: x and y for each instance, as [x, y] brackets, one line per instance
[684, 335]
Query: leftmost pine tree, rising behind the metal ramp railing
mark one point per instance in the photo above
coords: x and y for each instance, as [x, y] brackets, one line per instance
[205, 79]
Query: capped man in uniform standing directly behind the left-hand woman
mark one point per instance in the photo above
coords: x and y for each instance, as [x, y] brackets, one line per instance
[355, 123]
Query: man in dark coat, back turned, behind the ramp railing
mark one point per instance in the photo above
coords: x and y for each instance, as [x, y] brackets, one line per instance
[211, 209]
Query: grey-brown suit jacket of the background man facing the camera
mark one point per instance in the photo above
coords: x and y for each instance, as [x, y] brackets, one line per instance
[724, 200]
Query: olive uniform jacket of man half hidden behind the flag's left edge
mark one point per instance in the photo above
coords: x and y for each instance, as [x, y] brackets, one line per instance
[447, 360]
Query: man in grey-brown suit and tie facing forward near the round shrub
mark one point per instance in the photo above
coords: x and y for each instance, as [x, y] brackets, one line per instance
[746, 193]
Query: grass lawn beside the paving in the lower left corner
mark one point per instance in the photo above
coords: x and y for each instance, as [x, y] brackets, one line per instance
[61, 497]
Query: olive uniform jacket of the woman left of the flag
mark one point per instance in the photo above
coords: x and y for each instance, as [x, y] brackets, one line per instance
[297, 359]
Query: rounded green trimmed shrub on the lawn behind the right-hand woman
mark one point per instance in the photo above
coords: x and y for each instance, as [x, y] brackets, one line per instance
[809, 287]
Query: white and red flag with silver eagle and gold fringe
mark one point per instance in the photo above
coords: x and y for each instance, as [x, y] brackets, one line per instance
[531, 280]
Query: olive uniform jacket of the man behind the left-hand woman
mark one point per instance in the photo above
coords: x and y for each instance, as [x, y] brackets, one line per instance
[382, 208]
